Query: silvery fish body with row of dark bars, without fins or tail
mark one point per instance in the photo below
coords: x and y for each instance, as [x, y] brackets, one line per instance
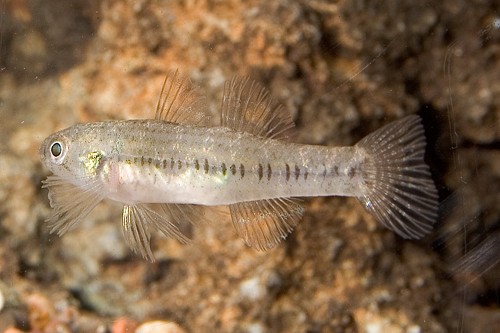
[155, 161]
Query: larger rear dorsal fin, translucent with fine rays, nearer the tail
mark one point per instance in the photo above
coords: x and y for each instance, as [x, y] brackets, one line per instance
[248, 107]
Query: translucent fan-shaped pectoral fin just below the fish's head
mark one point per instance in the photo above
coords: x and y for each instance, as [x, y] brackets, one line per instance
[70, 204]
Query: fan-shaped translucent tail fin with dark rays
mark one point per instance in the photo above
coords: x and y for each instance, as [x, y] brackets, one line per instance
[400, 192]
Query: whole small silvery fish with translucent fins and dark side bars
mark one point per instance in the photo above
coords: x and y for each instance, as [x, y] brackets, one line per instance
[248, 164]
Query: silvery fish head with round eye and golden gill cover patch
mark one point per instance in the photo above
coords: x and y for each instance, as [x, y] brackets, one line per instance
[74, 154]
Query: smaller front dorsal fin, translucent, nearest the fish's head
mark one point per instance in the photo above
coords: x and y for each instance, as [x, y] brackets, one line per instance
[180, 102]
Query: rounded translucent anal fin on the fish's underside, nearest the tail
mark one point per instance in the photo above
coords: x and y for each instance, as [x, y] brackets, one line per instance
[263, 223]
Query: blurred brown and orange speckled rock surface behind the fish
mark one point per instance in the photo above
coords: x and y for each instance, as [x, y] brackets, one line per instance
[343, 69]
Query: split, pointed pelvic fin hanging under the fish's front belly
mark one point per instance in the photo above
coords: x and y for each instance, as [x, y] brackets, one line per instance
[137, 222]
